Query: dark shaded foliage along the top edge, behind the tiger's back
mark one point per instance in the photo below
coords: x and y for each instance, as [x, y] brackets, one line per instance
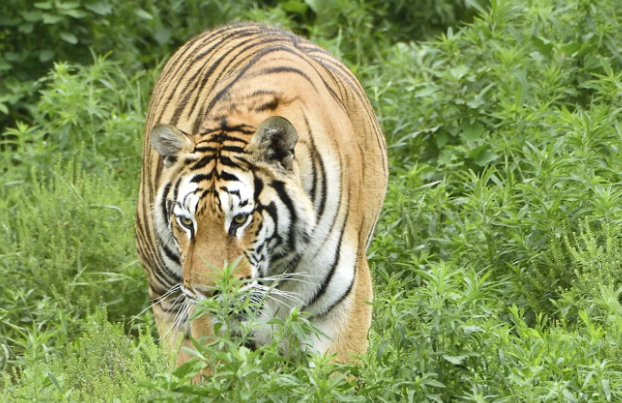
[34, 34]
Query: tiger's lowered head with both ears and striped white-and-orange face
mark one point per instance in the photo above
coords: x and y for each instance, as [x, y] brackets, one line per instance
[226, 196]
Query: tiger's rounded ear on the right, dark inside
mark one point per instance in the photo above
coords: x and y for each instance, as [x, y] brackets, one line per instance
[274, 142]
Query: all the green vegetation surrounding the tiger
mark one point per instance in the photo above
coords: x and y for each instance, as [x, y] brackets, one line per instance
[498, 259]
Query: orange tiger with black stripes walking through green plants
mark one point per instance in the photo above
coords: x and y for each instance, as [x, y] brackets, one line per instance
[260, 144]
